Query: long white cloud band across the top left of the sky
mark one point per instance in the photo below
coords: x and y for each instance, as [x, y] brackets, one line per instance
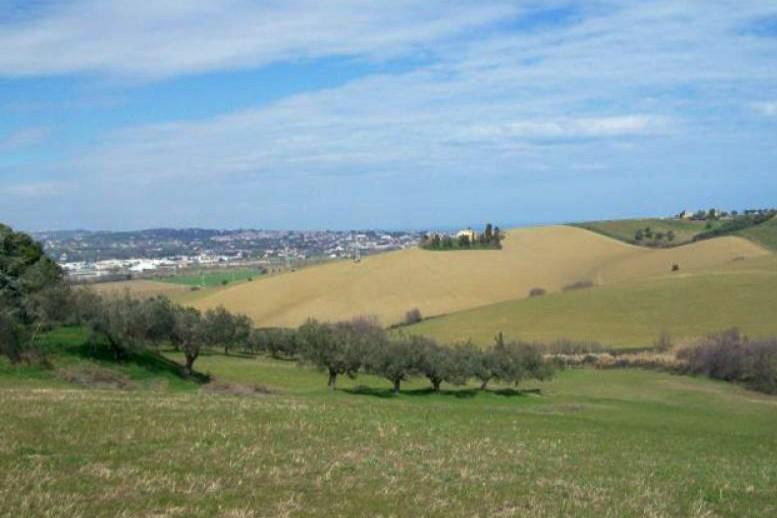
[160, 39]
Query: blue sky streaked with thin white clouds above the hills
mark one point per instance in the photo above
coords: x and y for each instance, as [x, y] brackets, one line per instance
[393, 114]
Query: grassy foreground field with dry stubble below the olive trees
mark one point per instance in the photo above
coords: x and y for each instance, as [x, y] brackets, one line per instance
[591, 443]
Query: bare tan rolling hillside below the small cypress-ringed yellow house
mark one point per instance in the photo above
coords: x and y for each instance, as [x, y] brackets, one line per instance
[442, 282]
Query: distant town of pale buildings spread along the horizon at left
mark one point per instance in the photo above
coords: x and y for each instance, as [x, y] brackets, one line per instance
[96, 256]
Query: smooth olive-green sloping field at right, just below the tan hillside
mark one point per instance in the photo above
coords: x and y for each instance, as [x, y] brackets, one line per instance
[629, 314]
